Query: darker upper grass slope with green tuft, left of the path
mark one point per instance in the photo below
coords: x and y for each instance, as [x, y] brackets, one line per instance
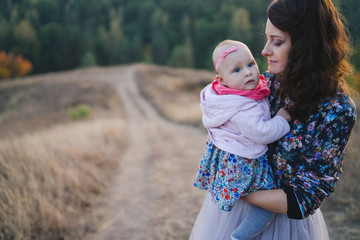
[42, 101]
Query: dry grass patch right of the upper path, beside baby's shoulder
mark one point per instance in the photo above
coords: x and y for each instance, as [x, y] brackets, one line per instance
[175, 93]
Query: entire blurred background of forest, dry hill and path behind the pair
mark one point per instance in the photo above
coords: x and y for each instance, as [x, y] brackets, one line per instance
[64, 130]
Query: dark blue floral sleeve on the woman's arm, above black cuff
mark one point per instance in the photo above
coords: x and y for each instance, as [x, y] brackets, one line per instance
[321, 162]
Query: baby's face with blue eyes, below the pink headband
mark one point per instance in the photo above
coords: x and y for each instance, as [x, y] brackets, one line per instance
[239, 70]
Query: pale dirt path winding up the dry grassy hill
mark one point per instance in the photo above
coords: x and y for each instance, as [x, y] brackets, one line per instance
[152, 195]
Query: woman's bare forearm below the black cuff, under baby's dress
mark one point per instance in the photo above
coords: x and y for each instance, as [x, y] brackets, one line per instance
[273, 200]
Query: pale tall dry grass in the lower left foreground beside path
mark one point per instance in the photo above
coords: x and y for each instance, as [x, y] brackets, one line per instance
[50, 179]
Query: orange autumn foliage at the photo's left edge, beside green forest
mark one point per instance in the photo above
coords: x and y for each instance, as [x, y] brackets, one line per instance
[13, 66]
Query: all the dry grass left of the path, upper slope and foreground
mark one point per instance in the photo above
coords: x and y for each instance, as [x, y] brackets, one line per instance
[53, 170]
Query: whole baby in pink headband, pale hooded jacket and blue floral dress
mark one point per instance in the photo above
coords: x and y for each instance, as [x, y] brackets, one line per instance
[237, 116]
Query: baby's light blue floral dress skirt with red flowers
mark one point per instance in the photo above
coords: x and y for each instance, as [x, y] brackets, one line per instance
[229, 177]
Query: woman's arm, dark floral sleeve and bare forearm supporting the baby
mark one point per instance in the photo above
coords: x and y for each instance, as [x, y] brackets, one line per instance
[315, 177]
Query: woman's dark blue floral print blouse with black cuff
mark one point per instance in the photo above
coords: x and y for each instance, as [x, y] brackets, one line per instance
[308, 160]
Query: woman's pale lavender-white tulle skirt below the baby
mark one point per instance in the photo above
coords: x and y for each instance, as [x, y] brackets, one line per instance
[215, 224]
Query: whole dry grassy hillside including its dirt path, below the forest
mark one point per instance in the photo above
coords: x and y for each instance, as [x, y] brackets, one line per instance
[55, 173]
